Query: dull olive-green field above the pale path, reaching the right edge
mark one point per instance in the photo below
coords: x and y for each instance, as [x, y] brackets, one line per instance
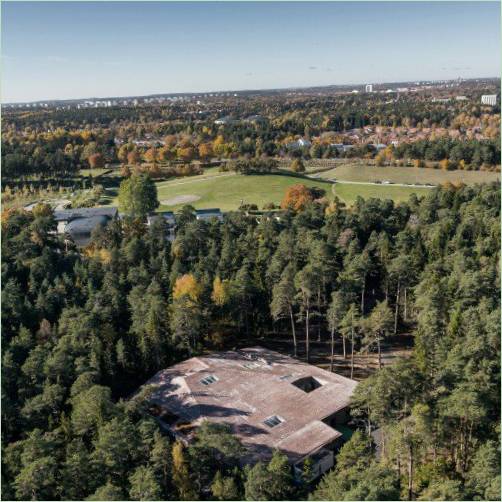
[358, 172]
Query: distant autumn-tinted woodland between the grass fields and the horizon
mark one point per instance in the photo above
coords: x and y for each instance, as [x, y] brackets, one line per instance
[60, 142]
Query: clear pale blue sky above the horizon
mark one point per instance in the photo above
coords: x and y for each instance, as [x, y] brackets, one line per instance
[65, 50]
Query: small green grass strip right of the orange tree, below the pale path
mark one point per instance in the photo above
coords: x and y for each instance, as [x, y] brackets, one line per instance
[348, 192]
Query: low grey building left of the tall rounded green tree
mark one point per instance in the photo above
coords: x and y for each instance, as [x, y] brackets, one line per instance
[78, 224]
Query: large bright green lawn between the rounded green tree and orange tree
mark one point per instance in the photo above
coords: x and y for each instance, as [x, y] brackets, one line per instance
[227, 190]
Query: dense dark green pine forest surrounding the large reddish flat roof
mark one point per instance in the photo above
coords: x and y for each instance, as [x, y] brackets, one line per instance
[82, 331]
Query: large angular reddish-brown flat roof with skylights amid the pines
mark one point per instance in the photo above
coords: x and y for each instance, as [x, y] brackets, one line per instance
[245, 388]
